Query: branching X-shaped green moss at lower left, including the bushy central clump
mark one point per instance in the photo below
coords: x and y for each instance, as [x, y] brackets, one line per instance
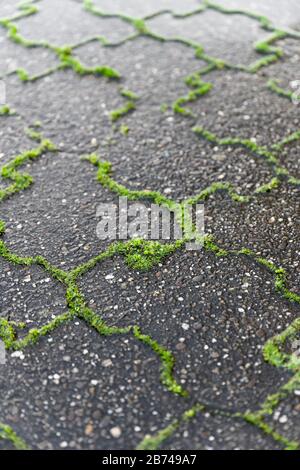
[77, 306]
